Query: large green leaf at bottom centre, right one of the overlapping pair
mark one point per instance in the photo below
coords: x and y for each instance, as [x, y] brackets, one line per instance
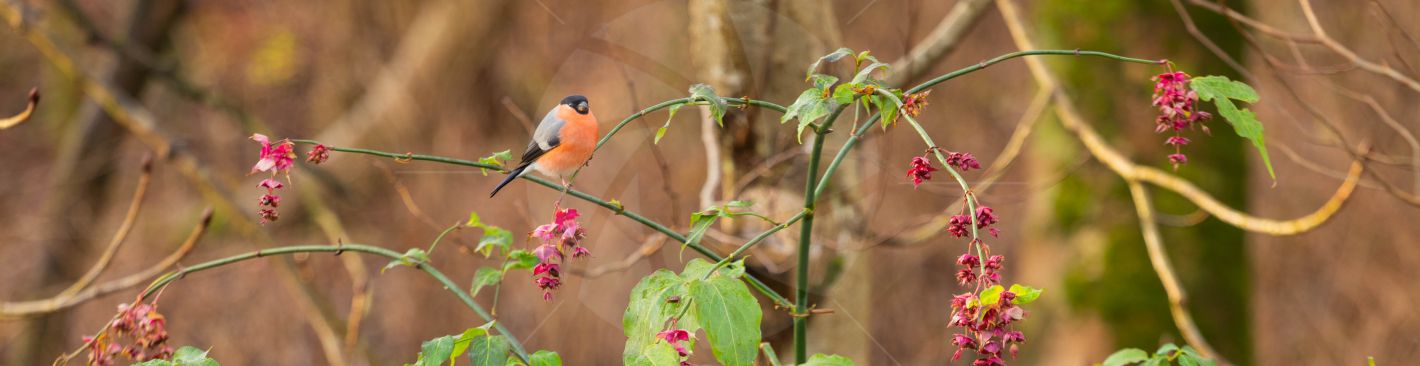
[731, 317]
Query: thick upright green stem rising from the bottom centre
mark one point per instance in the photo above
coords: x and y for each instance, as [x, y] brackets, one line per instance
[806, 239]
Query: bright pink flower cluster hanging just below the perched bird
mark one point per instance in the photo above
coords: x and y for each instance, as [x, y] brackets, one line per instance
[563, 236]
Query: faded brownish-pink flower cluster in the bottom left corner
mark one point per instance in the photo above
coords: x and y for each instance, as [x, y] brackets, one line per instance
[144, 326]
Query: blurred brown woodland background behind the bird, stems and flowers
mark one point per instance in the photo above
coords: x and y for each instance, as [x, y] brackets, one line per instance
[462, 77]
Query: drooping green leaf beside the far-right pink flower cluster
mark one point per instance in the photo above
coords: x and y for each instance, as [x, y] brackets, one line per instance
[1222, 91]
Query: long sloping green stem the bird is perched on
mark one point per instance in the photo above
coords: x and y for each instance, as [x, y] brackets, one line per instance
[759, 286]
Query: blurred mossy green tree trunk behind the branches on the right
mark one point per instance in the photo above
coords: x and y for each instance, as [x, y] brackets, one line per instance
[1211, 257]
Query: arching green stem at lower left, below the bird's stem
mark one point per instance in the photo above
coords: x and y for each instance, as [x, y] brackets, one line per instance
[168, 279]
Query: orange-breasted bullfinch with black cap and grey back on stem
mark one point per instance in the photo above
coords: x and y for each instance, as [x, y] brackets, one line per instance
[563, 143]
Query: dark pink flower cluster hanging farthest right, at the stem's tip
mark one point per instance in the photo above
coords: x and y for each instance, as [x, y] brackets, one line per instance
[1178, 111]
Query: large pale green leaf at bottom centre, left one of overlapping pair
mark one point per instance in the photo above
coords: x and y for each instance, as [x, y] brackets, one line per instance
[657, 299]
